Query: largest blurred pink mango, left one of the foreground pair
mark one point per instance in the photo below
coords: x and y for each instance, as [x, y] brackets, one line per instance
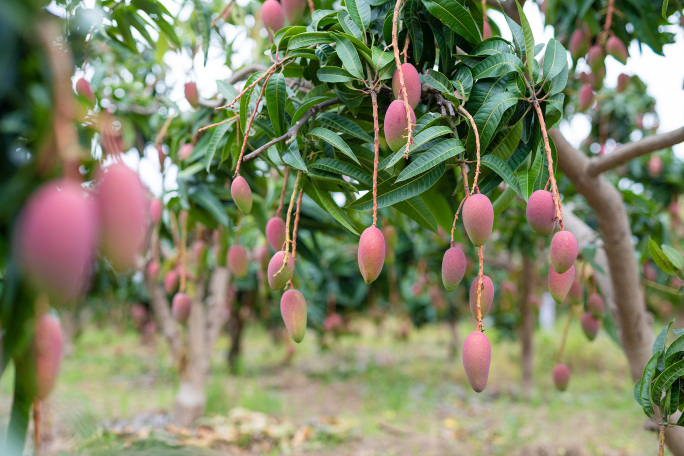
[56, 239]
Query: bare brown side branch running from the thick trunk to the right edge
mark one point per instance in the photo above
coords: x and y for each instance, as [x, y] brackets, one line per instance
[632, 150]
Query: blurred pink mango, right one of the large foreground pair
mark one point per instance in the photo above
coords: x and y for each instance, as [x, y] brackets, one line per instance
[122, 203]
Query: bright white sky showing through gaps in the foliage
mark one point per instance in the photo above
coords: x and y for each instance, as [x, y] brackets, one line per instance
[664, 77]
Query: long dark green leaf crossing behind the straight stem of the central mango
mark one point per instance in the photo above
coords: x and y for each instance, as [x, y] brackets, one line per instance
[390, 193]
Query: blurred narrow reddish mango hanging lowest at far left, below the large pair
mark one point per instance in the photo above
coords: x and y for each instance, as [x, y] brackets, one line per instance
[48, 344]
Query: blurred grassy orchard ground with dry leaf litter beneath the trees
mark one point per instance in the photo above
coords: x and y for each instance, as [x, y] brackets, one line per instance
[367, 395]
